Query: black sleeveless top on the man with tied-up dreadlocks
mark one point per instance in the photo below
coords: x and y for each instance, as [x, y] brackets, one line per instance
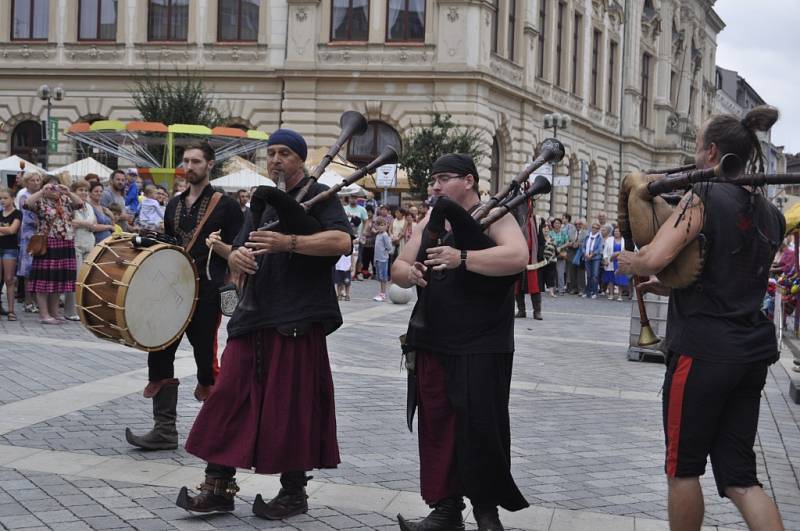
[719, 318]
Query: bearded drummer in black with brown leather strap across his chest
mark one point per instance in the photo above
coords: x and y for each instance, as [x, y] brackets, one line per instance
[199, 207]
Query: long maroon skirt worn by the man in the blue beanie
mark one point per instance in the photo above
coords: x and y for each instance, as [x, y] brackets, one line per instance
[282, 422]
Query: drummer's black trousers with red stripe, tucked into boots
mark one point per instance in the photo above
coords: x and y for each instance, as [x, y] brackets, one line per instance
[202, 334]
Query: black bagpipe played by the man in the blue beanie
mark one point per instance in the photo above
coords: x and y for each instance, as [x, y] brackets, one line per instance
[291, 214]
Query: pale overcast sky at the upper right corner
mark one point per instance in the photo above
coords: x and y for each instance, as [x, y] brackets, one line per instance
[761, 41]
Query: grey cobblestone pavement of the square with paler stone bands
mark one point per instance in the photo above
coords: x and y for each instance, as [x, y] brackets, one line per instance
[587, 445]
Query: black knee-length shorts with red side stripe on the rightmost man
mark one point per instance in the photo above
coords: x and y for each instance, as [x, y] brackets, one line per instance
[711, 409]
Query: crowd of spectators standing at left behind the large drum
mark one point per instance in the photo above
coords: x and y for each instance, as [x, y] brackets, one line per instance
[72, 220]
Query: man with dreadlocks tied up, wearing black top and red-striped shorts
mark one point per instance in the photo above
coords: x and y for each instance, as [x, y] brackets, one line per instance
[720, 344]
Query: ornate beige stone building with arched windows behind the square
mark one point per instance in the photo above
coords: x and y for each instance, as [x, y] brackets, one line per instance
[636, 77]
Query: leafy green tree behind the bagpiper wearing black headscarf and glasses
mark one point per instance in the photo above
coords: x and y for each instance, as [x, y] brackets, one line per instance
[424, 144]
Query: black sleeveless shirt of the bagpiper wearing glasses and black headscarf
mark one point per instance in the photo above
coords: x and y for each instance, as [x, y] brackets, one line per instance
[467, 313]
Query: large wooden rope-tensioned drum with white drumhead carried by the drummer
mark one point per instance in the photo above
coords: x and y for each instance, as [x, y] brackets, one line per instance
[142, 297]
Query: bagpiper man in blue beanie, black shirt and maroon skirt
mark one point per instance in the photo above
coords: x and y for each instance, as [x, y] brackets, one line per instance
[273, 406]
